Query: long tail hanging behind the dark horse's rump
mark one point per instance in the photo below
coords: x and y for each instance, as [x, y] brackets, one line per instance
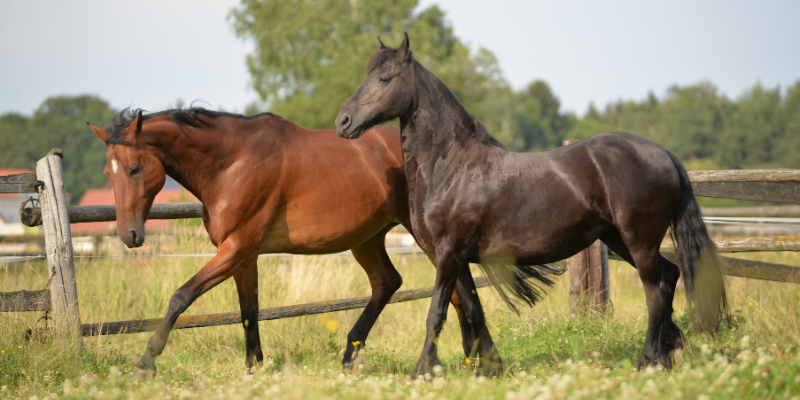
[698, 259]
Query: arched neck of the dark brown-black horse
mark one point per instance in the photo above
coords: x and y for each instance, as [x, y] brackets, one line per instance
[437, 125]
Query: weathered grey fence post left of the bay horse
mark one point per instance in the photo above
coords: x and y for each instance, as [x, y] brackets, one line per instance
[58, 242]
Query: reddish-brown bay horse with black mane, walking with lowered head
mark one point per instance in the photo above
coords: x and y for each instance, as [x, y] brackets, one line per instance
[267, 186]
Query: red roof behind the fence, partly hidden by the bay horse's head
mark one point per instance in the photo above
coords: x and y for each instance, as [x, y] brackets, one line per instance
[96, 197]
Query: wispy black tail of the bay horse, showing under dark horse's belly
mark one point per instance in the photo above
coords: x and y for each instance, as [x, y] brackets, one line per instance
[521, 280]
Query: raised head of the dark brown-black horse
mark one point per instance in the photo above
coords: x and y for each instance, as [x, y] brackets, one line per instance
[386, 94]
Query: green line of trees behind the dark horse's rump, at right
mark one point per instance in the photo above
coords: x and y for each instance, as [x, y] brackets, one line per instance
[759, 129]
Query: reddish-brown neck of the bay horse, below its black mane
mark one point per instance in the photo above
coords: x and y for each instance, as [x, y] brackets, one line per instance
[193, 159]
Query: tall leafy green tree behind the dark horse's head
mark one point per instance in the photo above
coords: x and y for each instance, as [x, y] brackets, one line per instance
[310, 55]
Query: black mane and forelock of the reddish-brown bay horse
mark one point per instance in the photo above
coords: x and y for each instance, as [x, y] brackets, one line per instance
[194, 117]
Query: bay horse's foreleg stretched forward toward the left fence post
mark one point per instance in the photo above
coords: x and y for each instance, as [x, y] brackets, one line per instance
[229, 259]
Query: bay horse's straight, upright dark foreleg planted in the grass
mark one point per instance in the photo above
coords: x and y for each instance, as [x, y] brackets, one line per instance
[247, 287]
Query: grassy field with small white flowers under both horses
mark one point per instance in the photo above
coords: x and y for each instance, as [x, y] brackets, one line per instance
[548, 353]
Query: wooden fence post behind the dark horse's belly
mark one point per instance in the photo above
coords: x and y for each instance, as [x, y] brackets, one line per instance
[588, 277]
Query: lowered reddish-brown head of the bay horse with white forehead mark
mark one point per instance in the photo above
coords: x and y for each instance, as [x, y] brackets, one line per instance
[135, 173]
